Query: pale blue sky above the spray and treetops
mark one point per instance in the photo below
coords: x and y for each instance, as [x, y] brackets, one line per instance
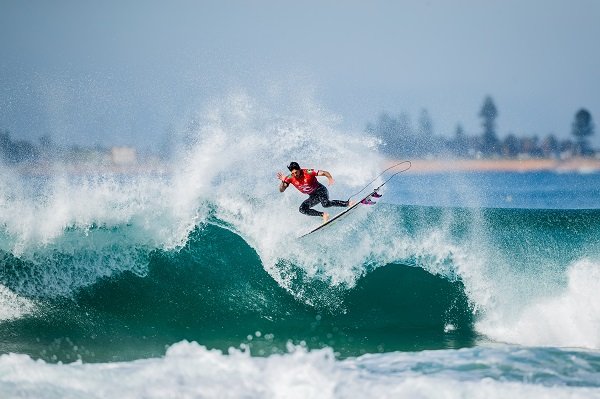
[126, 72]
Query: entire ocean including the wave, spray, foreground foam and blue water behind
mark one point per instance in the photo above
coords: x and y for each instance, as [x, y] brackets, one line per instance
[194, 284]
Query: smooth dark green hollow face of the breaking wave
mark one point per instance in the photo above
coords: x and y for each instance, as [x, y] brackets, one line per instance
[215, 291]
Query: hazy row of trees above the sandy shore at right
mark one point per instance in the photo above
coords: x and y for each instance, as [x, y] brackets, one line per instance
[400, 138]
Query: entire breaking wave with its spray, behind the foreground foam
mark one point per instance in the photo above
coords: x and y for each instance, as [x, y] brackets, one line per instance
[115, 267]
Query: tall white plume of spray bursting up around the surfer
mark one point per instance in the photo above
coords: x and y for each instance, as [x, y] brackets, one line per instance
[239, 149]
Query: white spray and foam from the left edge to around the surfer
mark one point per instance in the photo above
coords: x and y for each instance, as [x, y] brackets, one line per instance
[67, 231]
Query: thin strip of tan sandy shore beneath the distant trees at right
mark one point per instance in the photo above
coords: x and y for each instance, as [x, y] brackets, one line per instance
[582, 165]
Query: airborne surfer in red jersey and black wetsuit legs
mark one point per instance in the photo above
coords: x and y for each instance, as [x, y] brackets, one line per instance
[305, 180]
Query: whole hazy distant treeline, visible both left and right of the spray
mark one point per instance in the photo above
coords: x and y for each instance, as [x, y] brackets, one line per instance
[399, 138]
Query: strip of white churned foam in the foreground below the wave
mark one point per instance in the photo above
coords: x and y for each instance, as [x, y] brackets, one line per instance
[192, 371]
